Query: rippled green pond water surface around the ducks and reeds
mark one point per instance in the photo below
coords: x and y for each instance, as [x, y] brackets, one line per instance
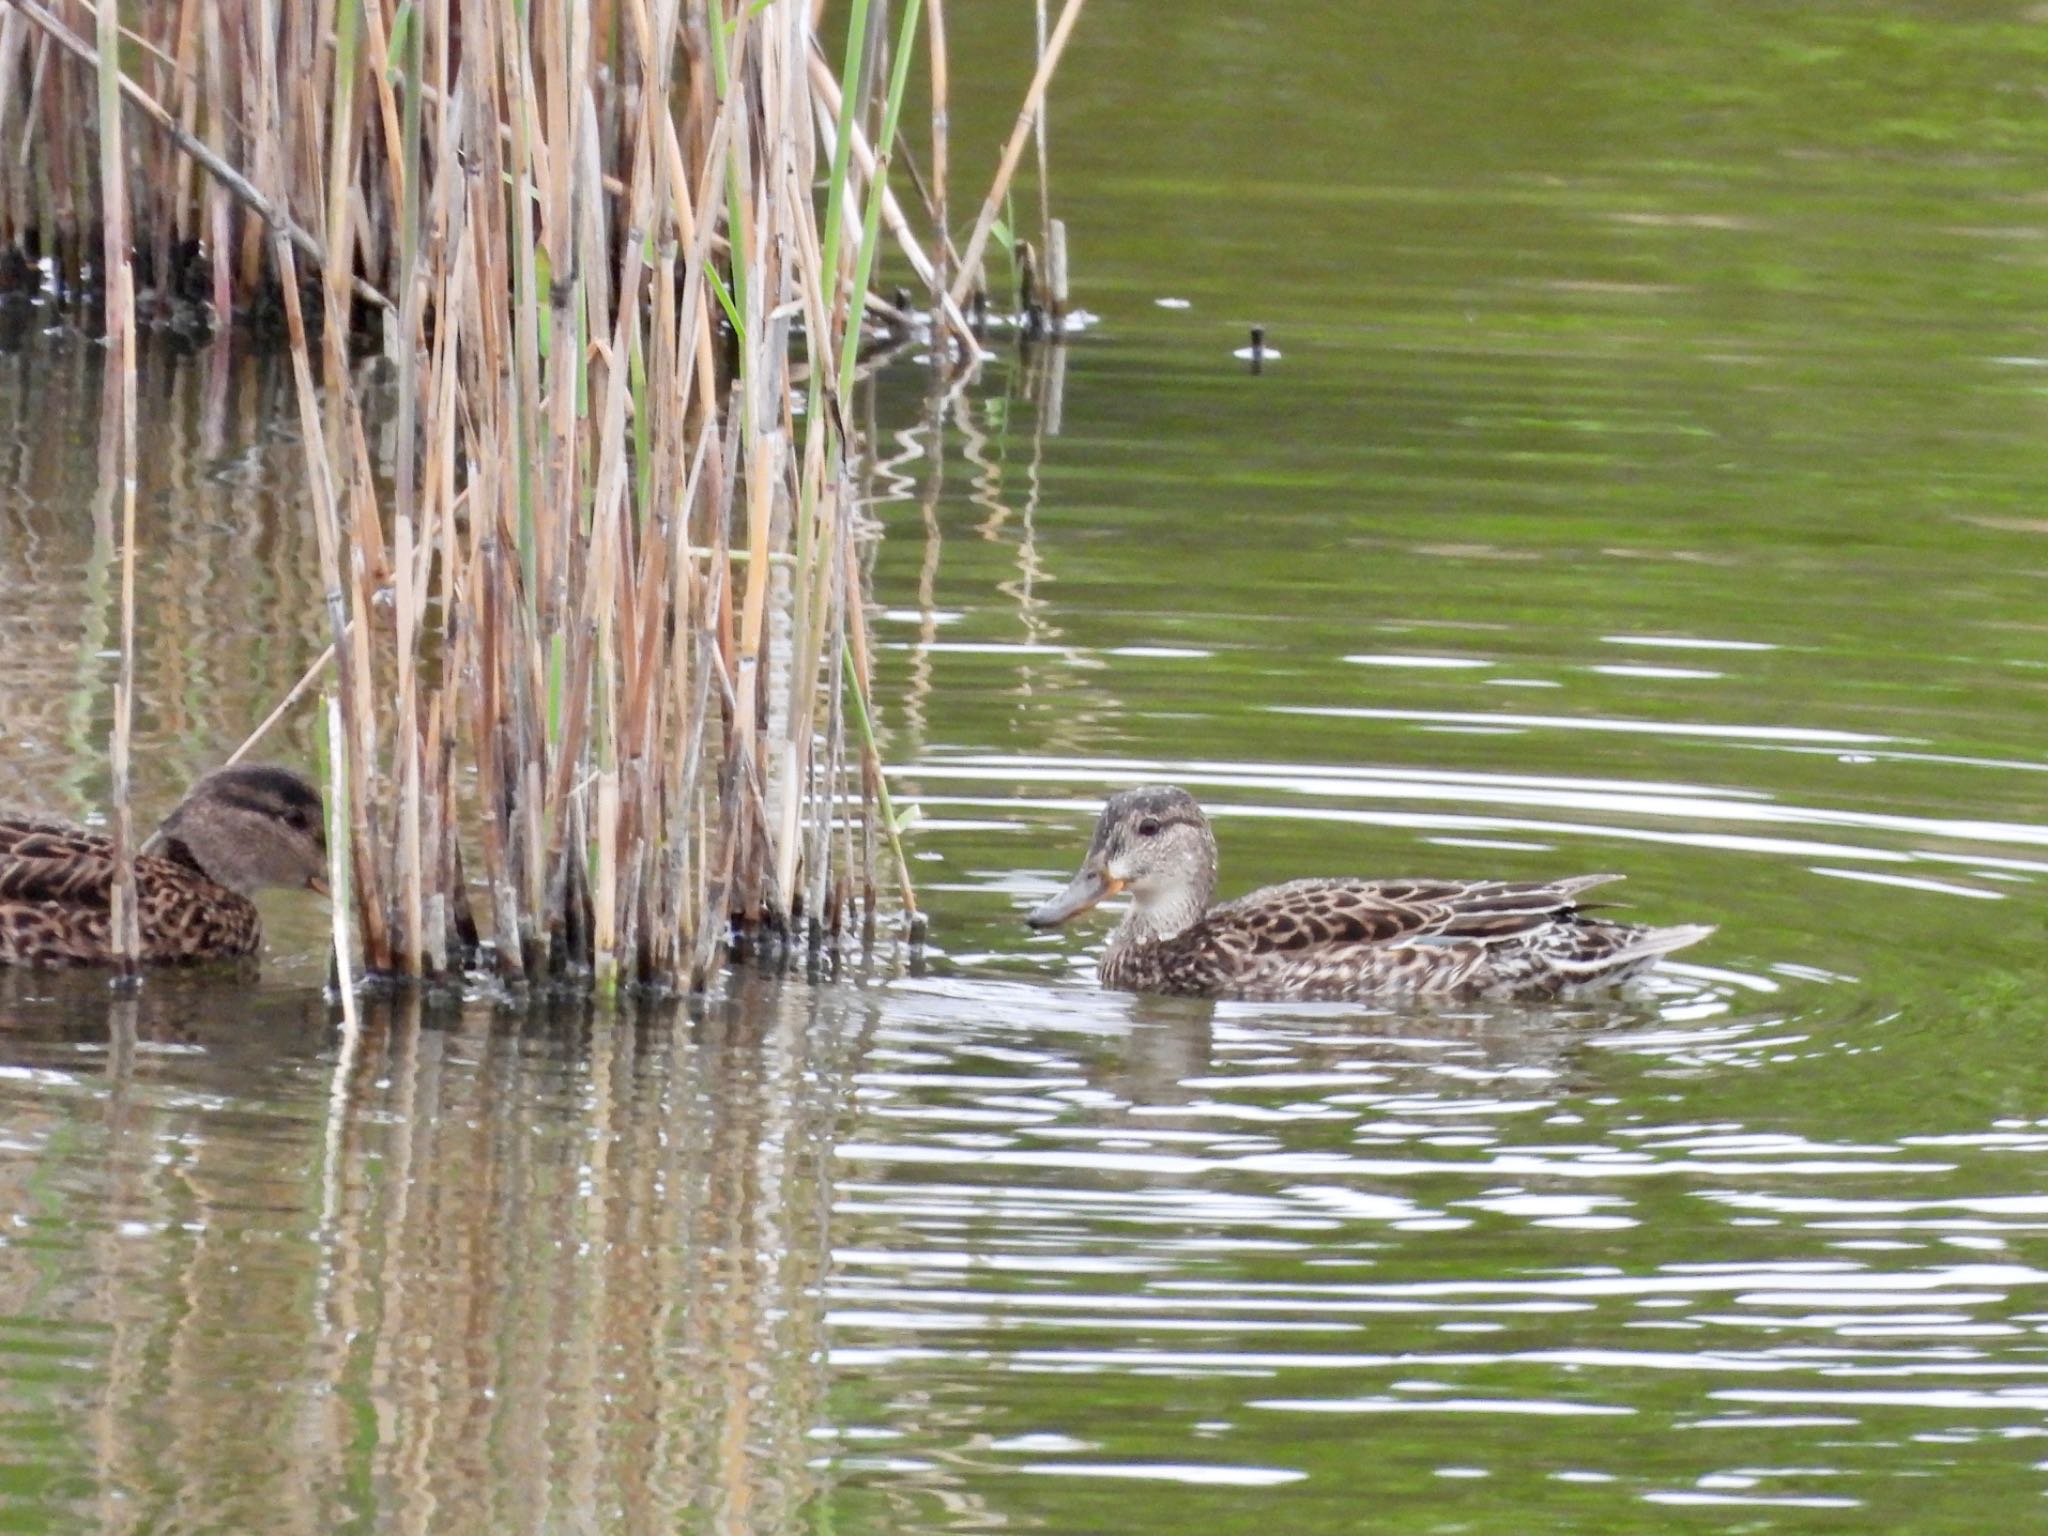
[1650, 482]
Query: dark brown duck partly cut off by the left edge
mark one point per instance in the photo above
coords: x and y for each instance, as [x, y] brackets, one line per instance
[237, 833]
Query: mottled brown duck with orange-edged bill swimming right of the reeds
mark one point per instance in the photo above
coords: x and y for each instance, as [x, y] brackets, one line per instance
[1336, 939]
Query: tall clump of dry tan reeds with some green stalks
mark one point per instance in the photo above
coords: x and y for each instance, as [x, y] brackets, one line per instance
[599, 628]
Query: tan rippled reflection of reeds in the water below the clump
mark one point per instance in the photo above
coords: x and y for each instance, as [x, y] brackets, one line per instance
[493, 1273]
